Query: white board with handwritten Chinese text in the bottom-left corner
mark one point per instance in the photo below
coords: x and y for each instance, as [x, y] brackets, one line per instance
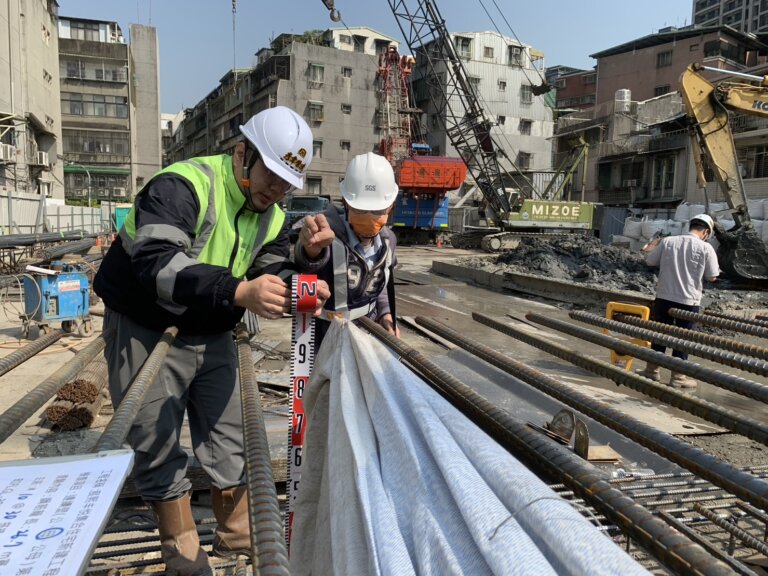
[53, 510]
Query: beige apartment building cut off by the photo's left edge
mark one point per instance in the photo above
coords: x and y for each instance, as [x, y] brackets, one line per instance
[30, 119]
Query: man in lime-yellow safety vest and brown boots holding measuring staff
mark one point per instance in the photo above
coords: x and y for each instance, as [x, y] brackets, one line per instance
[203, 242]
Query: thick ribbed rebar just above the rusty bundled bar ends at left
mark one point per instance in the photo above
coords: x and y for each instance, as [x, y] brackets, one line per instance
[17, 414]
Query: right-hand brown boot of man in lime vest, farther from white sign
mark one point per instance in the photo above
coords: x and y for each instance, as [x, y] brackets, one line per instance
[233, 534]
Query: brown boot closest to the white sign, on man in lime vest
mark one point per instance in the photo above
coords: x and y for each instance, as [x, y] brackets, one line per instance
[179, 543]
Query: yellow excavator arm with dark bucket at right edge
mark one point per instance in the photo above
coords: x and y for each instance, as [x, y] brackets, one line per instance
[742, 253]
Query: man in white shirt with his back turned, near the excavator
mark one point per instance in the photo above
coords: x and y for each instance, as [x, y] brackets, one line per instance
[683, 261]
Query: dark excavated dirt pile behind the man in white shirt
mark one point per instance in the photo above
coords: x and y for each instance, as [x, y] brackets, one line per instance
[586, 260]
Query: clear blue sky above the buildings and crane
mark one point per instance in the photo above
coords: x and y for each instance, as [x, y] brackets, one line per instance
[196, 36]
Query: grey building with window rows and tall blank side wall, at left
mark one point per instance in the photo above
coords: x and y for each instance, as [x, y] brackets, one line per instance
[110, 108]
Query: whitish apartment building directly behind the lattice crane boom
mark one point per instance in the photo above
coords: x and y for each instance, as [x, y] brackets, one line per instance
[502, 73]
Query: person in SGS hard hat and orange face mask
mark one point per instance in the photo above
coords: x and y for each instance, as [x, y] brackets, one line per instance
[355, 247]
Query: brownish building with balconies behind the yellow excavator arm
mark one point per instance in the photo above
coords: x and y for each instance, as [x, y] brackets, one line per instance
[641, 154]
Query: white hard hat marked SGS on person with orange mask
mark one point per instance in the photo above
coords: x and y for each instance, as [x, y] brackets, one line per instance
[369, 183]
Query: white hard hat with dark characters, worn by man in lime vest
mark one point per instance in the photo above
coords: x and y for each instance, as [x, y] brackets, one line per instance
[284, 141]
